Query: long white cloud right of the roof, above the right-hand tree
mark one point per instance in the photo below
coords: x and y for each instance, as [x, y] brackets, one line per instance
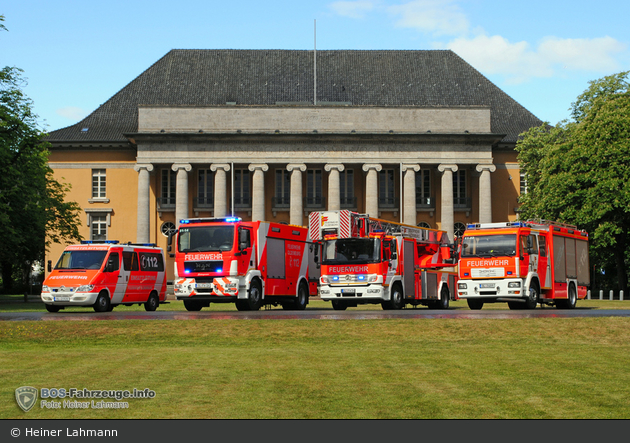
[519, 62]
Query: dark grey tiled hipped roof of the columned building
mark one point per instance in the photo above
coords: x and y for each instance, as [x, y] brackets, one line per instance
[271, 77]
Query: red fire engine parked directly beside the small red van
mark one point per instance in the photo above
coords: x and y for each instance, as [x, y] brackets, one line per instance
[223, 260]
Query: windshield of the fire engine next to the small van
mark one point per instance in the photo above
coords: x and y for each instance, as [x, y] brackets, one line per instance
[205, 238]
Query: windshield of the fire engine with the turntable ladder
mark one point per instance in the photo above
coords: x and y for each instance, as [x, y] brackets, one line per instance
[352, 250]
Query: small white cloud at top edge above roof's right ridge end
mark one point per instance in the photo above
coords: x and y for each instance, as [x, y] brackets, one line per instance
[437, 17]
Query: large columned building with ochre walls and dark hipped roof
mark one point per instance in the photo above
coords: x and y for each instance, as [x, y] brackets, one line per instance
[414, 136]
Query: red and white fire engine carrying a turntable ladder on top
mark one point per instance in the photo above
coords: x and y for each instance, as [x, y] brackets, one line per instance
[367, 260]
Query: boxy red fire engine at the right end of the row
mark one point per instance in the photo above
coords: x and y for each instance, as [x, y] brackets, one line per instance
[523, 264]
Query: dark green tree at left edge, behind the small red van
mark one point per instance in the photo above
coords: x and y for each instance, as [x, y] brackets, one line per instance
[33, 210]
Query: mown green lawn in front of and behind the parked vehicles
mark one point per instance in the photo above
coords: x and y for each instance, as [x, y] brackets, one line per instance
[326, 369]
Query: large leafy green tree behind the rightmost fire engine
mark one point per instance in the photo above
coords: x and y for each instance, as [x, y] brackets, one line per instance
[577, 172]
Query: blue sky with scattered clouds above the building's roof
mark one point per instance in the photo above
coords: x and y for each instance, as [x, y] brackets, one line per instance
[76, 54]
